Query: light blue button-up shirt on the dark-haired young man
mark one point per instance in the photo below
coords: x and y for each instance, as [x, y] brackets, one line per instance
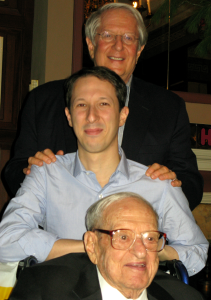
[56, 197]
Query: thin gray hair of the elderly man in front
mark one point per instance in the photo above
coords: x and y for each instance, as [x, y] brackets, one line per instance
[94, 213]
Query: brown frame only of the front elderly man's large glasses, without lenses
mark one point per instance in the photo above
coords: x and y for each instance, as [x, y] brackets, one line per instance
[111, 233]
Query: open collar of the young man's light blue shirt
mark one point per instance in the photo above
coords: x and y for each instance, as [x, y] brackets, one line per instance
[122, 167]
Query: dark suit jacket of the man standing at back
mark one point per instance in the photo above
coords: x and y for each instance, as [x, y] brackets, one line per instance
[157, 130]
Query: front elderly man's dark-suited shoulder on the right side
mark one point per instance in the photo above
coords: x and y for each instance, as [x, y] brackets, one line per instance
[176, 288]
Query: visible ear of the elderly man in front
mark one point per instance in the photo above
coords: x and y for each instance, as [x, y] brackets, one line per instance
[90, 242]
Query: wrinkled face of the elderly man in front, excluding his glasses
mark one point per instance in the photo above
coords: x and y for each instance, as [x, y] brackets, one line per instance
[130, 271]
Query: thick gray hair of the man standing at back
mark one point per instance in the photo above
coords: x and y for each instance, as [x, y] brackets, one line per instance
[93, 22]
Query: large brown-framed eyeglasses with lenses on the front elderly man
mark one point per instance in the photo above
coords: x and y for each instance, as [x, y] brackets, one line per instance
[123, 239]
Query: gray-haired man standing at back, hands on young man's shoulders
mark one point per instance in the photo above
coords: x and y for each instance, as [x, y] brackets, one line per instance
[157, 130]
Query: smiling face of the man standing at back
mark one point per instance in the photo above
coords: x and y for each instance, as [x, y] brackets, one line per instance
[116, 55]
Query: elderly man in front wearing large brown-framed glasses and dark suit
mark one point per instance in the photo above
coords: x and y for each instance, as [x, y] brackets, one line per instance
[122, 243]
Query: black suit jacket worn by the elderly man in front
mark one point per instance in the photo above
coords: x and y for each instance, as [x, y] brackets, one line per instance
[73, 277]
